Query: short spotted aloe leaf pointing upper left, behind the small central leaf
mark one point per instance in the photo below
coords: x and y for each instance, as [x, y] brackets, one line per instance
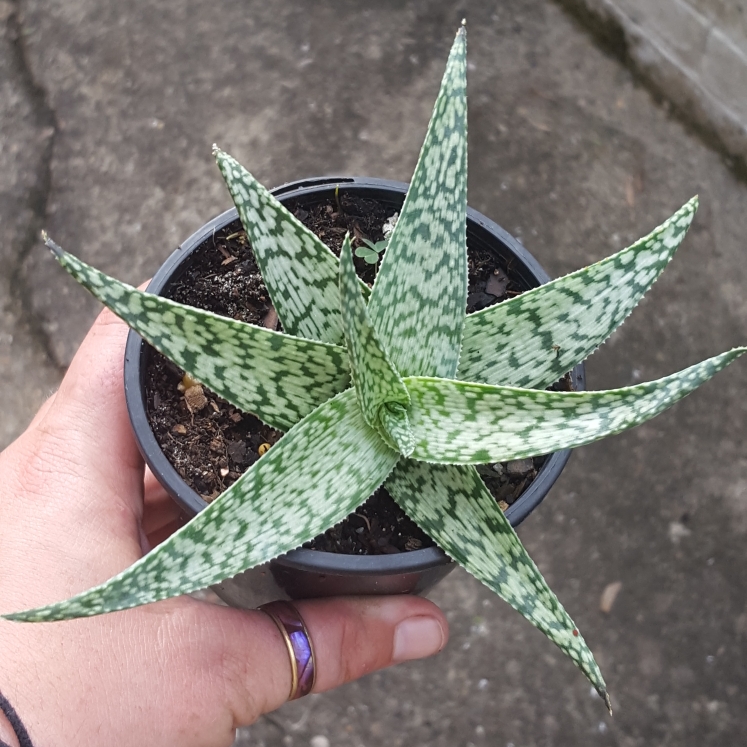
[299, 270]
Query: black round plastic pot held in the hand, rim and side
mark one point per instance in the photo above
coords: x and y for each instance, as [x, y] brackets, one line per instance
[309, 573]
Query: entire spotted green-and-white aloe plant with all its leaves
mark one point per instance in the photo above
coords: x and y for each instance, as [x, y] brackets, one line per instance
[393, 386]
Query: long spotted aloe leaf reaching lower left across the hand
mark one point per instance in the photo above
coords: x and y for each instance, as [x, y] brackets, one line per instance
[319, 472]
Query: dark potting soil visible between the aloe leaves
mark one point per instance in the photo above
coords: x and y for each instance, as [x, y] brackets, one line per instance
[211, 443]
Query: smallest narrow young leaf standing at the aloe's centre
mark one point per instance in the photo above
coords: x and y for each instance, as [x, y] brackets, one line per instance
[381, 394]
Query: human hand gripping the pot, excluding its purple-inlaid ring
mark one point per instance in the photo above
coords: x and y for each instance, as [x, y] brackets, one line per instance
[77, 507]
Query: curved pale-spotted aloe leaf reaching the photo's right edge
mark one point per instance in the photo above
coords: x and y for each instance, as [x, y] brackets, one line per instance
[454, 422]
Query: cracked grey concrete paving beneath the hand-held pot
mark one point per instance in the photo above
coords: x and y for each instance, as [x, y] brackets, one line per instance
[107, 114]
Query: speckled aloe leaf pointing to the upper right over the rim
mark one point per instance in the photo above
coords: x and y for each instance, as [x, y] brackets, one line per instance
[535, 338]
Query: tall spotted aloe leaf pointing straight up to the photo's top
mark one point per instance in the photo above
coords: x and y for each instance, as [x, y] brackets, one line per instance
[418, 301]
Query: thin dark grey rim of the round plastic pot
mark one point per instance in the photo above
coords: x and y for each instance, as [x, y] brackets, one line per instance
[316, 560]
